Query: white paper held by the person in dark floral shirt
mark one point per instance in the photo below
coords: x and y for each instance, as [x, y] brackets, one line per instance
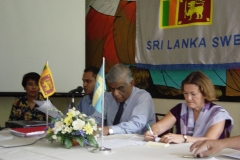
[52, 110]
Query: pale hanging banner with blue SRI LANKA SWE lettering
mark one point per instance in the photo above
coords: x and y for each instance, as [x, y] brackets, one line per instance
[183, 34]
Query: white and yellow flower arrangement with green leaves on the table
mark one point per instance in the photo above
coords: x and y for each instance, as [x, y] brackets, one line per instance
[75, 126]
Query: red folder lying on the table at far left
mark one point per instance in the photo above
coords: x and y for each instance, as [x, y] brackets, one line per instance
[28, 132]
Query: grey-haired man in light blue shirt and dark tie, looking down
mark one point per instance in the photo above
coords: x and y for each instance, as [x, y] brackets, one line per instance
[138, 107]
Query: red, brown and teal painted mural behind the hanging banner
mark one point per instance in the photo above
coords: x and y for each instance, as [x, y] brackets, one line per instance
[111, 32]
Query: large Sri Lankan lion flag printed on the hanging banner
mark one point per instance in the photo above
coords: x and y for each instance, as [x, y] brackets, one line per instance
[180, 13]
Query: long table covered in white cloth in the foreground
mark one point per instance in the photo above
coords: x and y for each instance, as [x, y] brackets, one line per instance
[127, 146]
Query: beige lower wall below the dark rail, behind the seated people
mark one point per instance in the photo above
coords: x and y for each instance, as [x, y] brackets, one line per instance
[161, 106]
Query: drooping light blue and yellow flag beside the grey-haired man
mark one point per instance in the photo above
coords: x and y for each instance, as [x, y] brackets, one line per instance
[100, 87]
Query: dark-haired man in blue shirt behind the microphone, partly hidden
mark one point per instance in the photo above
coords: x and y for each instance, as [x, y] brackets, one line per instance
[85, 104]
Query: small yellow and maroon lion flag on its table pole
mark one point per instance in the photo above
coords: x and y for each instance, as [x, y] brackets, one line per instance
[46, 85]
